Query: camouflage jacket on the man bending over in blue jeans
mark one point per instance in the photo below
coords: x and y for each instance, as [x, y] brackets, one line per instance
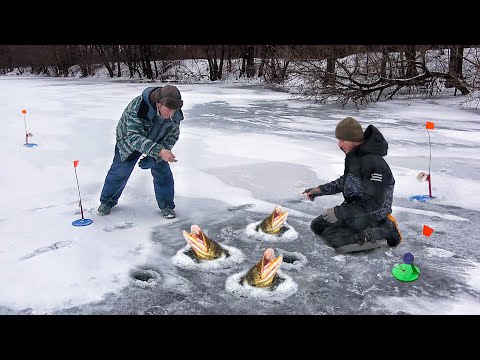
[133, 132]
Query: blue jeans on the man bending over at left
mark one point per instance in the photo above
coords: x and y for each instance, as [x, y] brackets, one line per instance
[120, 172]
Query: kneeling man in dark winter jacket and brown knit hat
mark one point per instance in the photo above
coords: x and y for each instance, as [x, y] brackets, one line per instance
[363, 221]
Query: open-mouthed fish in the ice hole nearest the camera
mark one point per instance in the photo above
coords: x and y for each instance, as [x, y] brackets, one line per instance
[263, 273]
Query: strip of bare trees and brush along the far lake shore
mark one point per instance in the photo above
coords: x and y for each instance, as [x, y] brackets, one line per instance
[356, 73]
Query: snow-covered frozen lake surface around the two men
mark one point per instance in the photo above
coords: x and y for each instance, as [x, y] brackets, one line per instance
[242, 151]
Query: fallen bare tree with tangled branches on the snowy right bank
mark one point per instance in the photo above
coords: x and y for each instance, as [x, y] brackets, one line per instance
[373, 75]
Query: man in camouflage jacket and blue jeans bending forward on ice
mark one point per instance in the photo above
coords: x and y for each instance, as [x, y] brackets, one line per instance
[150, 125]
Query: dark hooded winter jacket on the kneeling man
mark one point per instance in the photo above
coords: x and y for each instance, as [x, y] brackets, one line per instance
[367, 183]
